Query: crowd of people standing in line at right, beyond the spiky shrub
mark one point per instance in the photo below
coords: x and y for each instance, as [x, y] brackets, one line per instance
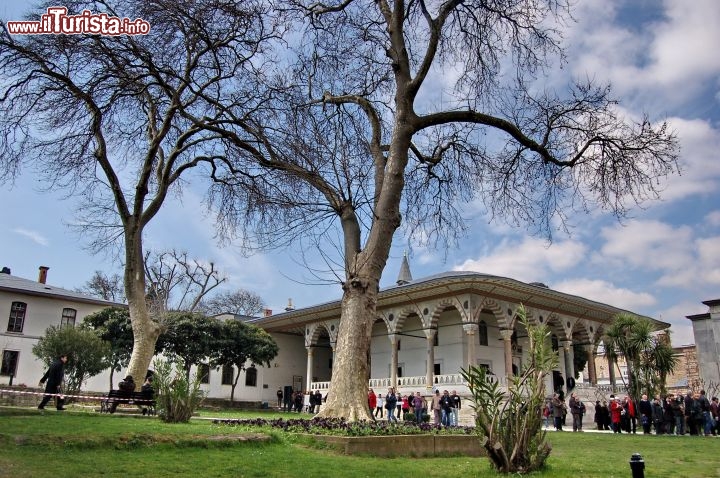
[692, 414]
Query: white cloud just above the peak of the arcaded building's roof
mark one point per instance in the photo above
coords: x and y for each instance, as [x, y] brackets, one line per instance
[529, 260]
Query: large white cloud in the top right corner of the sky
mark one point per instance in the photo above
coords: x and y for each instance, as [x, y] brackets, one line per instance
[667, 61]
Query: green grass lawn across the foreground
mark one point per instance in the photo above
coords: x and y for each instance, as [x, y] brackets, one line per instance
[51, 444]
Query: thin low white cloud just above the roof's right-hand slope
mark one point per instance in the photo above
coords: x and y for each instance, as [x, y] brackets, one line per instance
[603, 291]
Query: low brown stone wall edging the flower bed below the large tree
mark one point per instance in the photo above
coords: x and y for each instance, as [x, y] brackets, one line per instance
[405, 445]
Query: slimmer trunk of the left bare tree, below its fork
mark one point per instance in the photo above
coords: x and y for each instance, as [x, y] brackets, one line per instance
[145, 330]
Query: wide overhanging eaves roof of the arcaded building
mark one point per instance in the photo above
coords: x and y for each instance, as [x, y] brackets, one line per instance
[452, 284]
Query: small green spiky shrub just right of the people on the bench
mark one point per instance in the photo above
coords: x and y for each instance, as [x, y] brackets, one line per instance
[177, 395]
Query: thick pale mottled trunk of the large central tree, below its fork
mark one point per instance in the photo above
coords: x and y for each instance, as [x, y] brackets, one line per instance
[347, 397]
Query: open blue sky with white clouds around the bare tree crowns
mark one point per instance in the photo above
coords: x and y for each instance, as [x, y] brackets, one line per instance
[662, 261]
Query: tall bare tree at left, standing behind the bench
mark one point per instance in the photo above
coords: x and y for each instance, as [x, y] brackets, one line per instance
[119, 121]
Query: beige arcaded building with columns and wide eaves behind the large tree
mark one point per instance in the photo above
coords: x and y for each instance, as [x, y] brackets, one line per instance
[428, 329]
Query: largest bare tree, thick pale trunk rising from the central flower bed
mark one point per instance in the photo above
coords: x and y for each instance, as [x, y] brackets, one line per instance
[397, 113]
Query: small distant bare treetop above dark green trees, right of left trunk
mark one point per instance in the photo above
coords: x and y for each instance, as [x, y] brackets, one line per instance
[177, 282]
